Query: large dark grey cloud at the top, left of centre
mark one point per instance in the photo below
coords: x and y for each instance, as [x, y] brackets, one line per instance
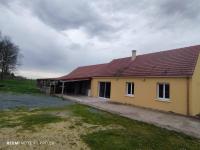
[63, 15]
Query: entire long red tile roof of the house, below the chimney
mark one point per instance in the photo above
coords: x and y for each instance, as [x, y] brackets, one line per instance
[177, 62]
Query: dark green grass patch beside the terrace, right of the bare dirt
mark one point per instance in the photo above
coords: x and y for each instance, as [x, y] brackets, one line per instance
[133, 135]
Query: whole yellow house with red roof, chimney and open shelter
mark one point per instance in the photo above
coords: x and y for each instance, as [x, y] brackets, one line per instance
[167, 81]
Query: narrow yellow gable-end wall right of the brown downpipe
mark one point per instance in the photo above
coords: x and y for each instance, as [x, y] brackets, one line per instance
[195, 90]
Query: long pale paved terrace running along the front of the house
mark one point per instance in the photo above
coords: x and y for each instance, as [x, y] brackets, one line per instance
[187, 125]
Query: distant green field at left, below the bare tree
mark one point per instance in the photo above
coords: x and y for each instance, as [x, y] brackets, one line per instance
[19, 86]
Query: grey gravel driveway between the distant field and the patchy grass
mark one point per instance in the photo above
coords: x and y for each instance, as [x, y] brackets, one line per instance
[8, 101]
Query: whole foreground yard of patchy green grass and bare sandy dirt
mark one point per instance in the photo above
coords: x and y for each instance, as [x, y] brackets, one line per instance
[81, 127]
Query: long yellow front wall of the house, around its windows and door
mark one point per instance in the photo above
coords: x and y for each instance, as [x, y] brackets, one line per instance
[146, 92]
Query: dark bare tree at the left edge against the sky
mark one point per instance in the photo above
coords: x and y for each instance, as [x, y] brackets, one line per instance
[8, 56]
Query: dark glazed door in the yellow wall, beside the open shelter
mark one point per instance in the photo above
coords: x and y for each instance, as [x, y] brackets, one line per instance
[104, 89]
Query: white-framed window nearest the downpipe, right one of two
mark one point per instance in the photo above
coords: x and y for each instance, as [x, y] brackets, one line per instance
[163, 91]
